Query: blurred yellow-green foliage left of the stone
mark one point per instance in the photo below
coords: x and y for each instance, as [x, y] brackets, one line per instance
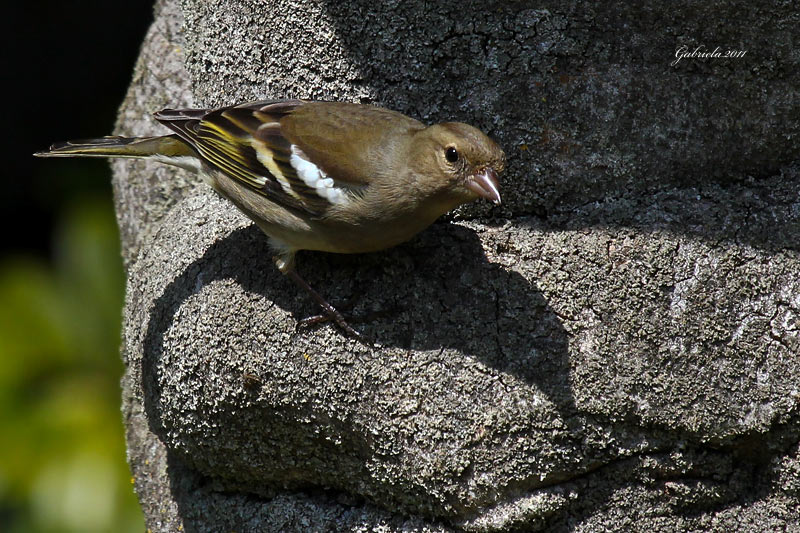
[62, 451]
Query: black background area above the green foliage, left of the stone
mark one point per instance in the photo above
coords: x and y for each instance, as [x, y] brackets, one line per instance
[66, 66]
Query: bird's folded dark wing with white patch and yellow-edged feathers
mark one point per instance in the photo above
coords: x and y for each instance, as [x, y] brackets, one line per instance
[248, 144]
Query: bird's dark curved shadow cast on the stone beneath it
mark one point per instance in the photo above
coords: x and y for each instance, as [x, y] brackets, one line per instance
[437, 292]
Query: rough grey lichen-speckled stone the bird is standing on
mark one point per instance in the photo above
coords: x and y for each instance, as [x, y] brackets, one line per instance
[616, 347]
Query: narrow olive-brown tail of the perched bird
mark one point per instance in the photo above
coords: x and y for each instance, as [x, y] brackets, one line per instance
[166, 148]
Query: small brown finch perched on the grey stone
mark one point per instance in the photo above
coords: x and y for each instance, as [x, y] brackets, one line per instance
[327, 176]
